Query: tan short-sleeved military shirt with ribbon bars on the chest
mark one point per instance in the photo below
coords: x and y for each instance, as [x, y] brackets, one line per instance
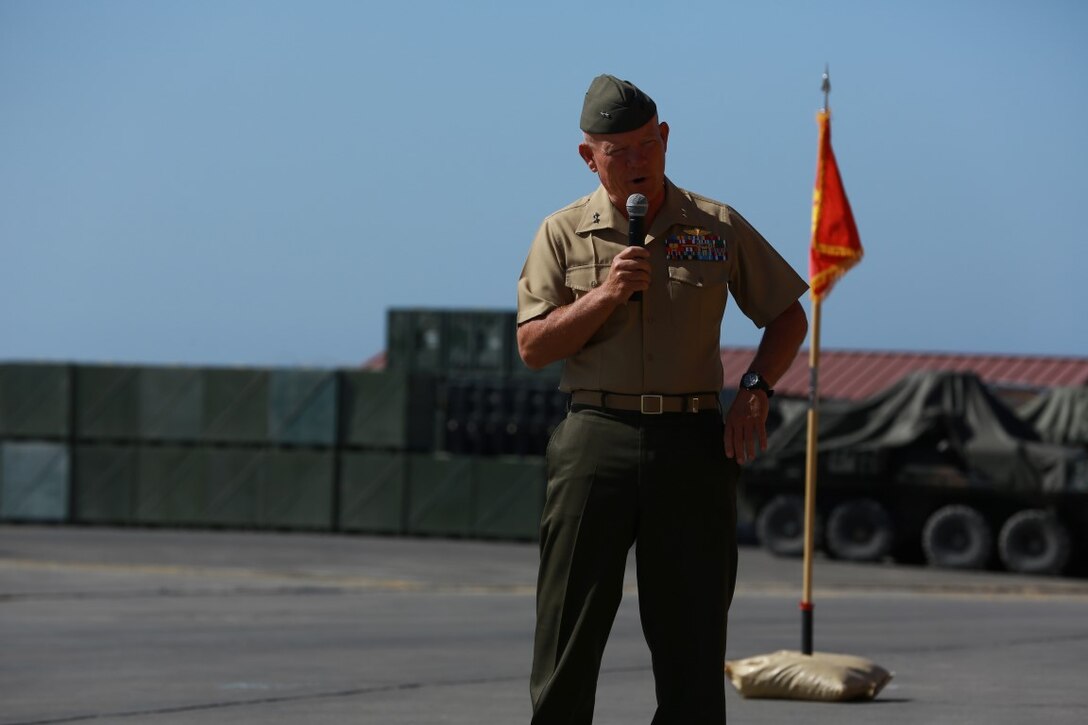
[700, 251]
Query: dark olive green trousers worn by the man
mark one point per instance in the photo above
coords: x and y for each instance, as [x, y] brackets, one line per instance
[663, 484]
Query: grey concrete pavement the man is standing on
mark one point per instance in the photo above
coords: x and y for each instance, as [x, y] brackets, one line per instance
[170, 628]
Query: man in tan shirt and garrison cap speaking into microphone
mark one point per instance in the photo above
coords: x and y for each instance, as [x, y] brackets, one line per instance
[645, 457]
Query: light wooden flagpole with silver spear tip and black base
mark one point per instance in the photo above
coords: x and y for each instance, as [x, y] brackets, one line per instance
[810, 546]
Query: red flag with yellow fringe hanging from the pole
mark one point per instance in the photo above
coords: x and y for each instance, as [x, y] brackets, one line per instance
[836, 245]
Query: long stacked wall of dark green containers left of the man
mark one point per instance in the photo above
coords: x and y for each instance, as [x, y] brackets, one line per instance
[411, 450]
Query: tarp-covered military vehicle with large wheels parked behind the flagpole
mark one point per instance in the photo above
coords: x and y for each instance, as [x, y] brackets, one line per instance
[937, 470]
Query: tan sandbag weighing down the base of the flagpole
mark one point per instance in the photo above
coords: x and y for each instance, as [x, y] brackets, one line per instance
[821, 677]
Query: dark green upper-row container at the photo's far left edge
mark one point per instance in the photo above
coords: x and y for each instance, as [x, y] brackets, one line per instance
[35, 401]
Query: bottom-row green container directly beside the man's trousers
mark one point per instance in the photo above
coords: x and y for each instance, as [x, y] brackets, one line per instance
[510, 498]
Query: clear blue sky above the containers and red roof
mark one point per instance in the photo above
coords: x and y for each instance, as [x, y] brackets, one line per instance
[256, 182]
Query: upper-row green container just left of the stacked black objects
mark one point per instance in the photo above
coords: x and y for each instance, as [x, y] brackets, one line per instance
[394, 411]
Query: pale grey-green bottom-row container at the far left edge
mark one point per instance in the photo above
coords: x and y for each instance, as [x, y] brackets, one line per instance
[34, 482]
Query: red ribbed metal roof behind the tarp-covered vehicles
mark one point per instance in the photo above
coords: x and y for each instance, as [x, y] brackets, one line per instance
[856, 375]
